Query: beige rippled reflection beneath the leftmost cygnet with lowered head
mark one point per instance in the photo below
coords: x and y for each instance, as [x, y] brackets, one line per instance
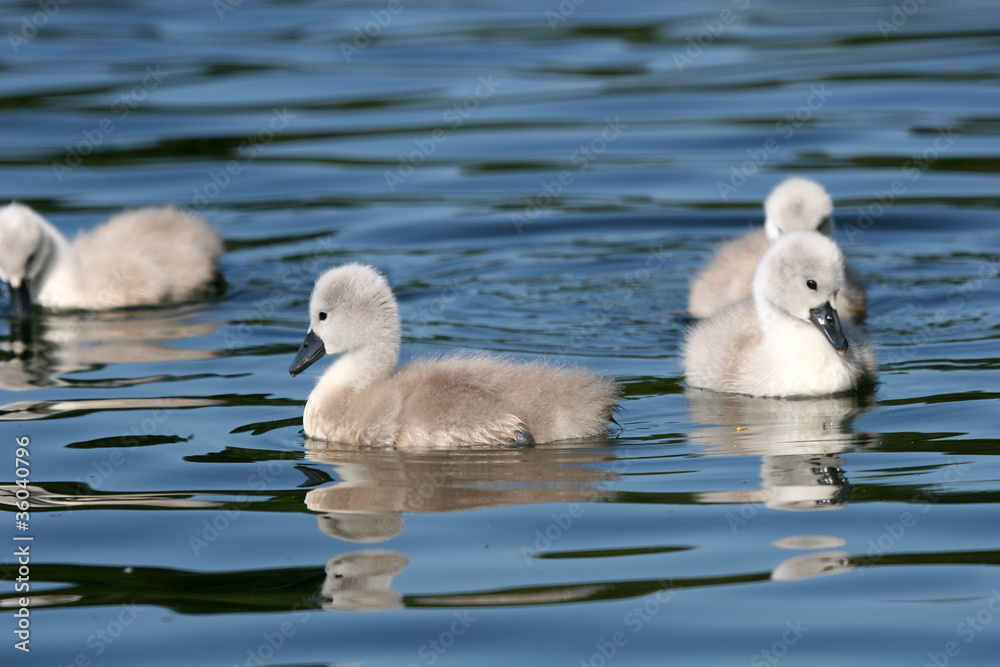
[40, 352]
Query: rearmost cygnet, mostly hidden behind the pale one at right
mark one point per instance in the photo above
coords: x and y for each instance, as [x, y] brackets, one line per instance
[795, 204]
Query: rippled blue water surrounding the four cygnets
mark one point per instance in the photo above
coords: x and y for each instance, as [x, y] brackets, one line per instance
[540, 179]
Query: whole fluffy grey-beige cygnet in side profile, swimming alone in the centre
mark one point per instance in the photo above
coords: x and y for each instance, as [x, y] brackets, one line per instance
[457, 400]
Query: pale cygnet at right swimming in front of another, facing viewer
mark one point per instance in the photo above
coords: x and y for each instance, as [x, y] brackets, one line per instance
[787, 338]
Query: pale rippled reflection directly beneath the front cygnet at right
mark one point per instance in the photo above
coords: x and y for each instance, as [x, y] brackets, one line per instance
[799, 442]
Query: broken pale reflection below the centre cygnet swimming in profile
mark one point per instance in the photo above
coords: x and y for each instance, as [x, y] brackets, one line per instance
[377, 487]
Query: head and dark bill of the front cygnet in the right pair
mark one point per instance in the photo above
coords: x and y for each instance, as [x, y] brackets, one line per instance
[800, 276]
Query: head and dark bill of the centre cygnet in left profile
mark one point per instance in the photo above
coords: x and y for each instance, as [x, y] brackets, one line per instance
[352, 309]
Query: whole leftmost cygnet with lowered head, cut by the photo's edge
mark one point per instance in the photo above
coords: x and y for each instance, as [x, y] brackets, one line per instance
[138, 257]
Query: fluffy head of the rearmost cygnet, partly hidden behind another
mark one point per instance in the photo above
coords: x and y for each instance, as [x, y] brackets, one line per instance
[798, 203]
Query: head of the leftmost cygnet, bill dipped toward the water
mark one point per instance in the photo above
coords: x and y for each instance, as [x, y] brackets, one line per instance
[25, 251]
